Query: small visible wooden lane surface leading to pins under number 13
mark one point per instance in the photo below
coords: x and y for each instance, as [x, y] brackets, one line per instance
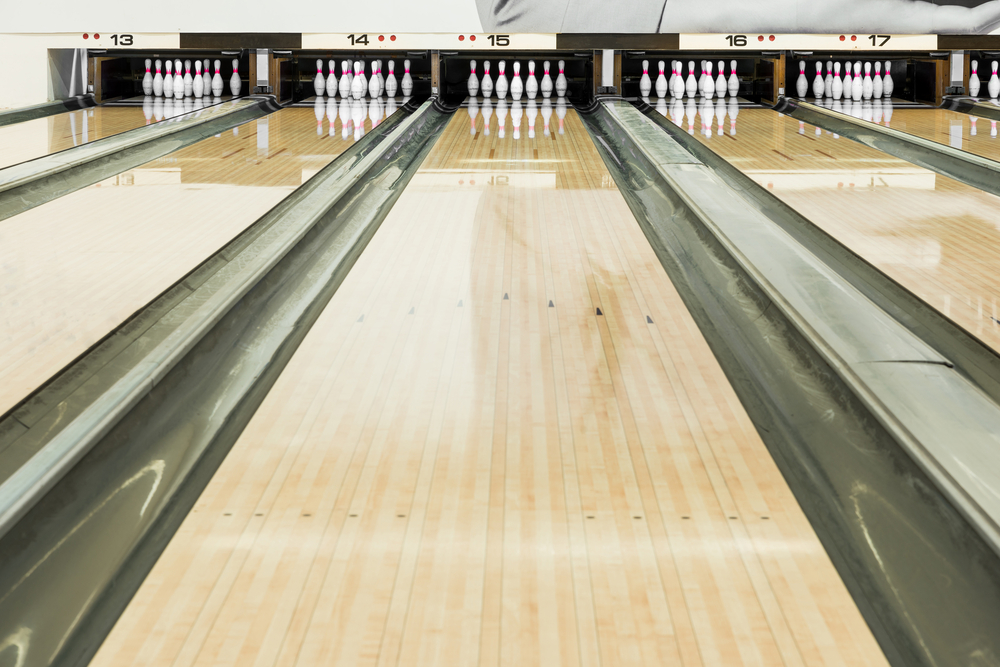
[42, 136]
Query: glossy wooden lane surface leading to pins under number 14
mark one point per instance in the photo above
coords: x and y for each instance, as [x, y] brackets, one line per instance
[75, 268]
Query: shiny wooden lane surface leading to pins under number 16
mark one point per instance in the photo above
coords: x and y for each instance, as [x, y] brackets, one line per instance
[937, 237]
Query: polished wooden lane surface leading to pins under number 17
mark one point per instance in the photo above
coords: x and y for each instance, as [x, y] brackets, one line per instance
[951, 128]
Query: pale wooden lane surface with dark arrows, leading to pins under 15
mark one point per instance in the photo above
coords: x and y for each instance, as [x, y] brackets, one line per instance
[465, 464]
